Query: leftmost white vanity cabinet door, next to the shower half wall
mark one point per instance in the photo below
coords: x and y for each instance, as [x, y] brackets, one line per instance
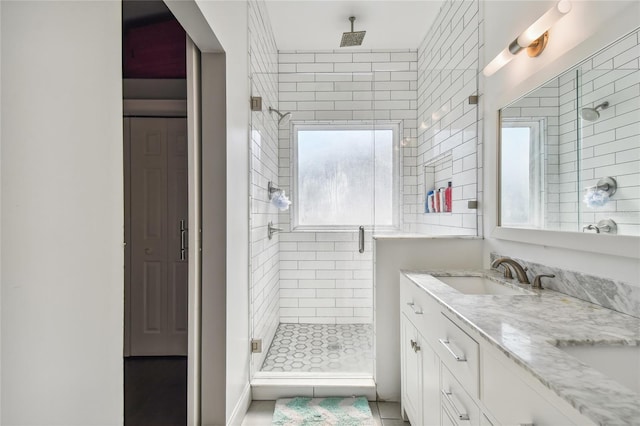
[411, 373]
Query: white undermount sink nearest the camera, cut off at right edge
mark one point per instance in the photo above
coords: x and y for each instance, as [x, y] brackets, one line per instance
[618, 362]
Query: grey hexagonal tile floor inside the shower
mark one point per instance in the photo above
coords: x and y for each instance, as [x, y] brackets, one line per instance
[320, 348]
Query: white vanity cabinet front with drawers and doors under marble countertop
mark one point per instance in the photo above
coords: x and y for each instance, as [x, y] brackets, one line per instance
[450, 378]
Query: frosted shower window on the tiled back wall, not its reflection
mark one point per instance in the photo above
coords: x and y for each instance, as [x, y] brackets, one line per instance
[345, 175]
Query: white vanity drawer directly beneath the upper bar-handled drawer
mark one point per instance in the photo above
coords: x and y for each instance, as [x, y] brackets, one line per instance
[456, 402]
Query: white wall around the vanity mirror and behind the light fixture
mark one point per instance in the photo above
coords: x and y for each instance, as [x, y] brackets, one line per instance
[590, 26]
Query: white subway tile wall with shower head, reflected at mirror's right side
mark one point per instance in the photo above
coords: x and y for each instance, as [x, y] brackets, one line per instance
[611, 144]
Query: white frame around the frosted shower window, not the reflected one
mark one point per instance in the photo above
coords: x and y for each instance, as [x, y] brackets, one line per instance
[394, 126]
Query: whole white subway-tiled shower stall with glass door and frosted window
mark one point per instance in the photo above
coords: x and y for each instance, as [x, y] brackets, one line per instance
[355, 140]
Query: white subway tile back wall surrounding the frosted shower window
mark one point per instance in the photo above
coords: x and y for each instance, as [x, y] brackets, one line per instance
[323, 277]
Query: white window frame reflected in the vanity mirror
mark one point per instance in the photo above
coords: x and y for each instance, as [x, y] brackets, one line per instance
[537, 190]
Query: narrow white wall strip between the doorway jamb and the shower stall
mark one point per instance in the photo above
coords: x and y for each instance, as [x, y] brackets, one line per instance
[228, 19]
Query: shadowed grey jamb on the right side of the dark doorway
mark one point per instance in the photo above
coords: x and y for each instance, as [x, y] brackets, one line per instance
[207, 143]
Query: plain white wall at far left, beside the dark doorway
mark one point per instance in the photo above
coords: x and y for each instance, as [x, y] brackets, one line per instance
[62, 213]
